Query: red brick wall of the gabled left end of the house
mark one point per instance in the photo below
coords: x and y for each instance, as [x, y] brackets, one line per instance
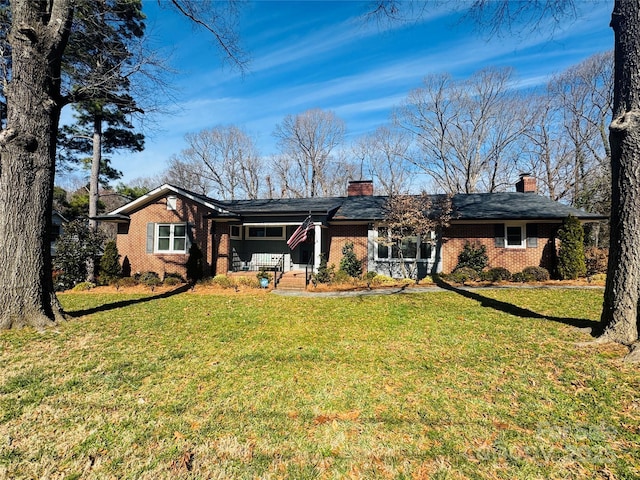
[132, 245]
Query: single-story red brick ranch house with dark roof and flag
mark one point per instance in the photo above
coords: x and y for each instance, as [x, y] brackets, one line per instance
[156, 230]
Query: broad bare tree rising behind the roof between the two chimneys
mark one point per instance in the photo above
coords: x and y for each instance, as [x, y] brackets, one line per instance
[467, 130]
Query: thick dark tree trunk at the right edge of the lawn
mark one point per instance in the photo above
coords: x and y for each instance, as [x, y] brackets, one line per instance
[620, 310]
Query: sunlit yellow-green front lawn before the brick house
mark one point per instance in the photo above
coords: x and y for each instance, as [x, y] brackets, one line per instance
[429, 385]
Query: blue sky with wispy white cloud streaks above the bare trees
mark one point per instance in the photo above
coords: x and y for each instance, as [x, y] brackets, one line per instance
[317, 54]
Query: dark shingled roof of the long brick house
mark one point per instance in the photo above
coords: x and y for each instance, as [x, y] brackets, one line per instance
[465, 207]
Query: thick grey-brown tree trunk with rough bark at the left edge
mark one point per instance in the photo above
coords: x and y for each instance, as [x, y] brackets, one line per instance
[27, 154]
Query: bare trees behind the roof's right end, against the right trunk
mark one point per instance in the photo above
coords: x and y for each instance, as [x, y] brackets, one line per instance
[567, 146]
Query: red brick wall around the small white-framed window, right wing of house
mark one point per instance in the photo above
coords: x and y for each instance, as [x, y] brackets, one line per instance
[513, 259]
